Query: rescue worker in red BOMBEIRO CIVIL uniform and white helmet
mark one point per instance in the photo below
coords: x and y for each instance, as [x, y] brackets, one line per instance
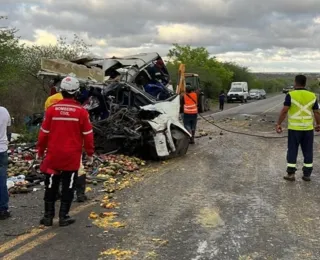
[65, 130]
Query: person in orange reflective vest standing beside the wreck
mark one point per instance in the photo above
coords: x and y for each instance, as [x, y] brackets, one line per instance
[190, 111]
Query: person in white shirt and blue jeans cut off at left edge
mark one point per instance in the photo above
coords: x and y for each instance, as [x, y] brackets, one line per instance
[5, 122]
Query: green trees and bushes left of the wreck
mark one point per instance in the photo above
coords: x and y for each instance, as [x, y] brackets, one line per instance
[21, 92]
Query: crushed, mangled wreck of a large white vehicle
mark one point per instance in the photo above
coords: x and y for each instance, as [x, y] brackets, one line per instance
[126, 117]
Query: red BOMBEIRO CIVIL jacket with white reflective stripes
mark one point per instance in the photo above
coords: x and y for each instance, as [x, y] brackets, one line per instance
[65, 130]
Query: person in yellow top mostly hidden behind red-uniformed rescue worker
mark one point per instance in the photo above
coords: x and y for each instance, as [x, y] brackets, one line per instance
[81, 181]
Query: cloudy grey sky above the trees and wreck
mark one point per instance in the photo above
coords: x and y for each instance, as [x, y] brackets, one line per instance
[273, 35]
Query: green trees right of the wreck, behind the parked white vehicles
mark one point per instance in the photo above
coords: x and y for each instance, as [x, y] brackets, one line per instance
[216, 76]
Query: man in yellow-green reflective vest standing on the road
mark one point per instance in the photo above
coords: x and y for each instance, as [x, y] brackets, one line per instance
[299, 105]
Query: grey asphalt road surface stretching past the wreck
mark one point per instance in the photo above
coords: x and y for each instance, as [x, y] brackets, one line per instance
[224, 200]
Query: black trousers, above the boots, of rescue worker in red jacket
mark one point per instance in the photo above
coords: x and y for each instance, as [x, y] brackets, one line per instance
[52, 183]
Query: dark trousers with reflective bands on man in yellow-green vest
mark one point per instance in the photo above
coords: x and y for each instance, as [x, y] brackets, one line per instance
[295, 139]
